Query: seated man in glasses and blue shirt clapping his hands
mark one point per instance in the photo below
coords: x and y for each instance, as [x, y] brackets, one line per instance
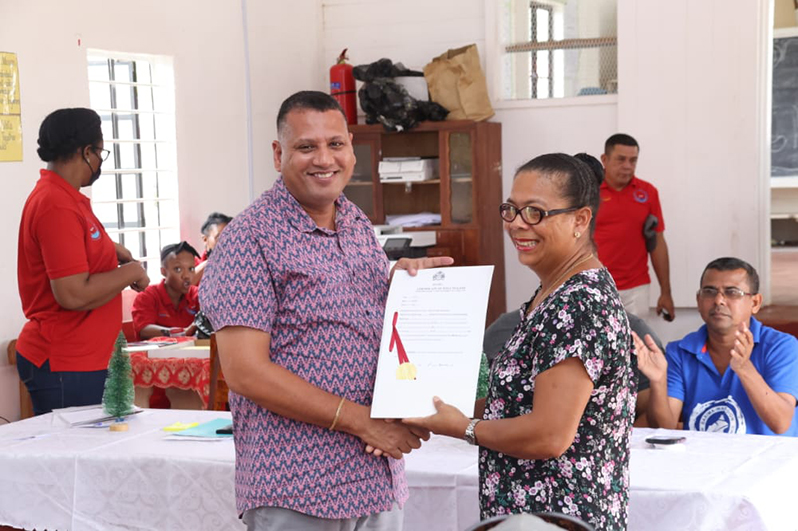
[733, 375]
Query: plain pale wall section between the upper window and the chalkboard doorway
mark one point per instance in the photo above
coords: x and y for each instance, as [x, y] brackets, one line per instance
[693, 91]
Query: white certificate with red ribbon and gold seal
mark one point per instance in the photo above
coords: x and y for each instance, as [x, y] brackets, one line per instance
[431, 341]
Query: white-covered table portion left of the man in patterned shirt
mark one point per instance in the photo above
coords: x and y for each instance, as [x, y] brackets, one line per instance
[93, 479]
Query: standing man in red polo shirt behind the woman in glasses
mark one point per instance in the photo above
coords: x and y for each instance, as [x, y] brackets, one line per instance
[626, 203]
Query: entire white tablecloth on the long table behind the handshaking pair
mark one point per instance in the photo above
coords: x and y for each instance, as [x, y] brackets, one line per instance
[61, 478]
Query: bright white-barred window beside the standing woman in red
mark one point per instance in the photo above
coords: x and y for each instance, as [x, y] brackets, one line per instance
[136, 197]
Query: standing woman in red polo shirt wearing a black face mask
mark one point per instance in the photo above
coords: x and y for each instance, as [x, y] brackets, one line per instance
[70, 273]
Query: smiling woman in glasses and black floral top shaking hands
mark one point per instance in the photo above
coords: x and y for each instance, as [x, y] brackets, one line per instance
[554, 429]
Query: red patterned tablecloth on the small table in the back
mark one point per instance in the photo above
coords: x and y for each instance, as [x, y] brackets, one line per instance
[182, 373]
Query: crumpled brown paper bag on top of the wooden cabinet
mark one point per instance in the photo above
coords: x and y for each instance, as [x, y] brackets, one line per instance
[456, 81]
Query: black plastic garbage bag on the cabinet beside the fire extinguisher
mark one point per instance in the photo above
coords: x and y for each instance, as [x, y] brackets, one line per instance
[387, 102]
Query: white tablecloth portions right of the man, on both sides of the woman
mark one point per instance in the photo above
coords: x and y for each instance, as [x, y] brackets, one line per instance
[713, 482]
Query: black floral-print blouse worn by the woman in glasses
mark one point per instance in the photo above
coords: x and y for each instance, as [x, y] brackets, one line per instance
[583, 318]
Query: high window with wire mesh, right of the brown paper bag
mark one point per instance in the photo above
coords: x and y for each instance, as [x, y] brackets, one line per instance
[558, 48]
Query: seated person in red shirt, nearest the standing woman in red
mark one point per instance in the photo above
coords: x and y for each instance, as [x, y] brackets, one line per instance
[169, 308]
